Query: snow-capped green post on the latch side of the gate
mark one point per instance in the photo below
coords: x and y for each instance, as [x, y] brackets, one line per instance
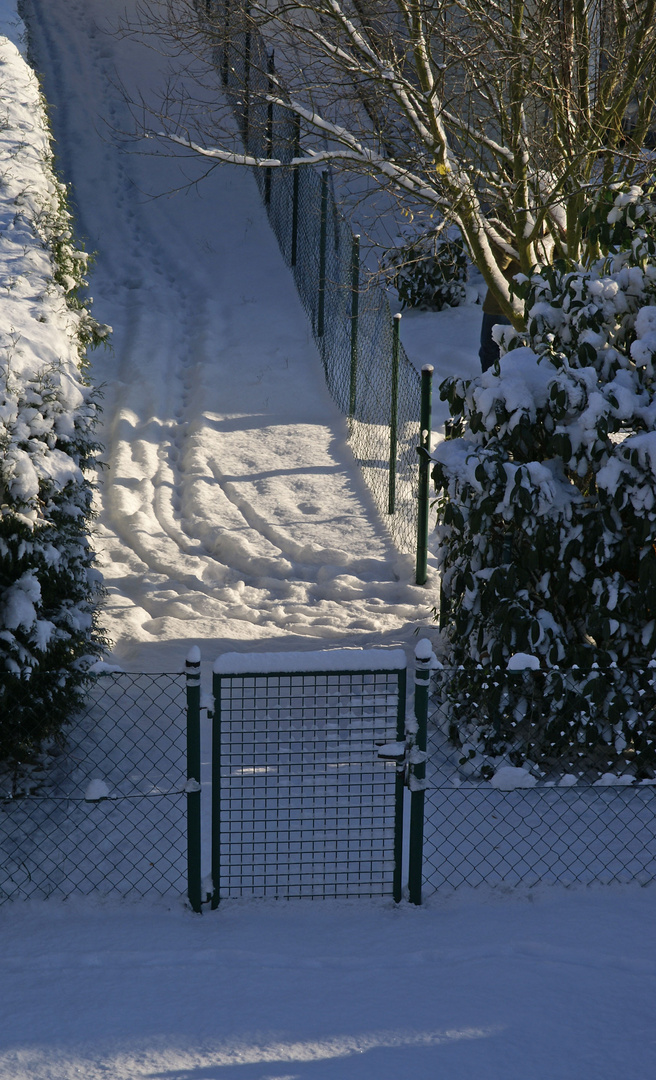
[418, 771]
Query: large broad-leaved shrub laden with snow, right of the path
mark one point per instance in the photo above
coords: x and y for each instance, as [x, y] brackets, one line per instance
[547, 512]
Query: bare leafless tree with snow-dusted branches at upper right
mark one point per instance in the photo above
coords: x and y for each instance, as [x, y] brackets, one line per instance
[504, 116]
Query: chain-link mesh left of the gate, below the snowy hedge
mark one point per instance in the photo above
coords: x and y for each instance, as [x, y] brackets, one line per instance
[130, 735]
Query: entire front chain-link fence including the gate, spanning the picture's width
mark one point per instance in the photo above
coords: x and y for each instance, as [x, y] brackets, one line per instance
[303, 805]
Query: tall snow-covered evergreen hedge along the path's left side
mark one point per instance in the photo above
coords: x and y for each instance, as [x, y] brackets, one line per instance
[48, 588]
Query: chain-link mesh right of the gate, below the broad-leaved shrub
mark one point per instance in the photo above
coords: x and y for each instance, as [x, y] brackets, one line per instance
[569, 827]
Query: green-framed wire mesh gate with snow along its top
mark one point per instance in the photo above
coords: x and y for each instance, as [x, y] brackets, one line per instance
[302, 805]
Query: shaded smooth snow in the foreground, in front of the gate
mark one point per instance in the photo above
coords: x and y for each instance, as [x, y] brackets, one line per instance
[543, 987]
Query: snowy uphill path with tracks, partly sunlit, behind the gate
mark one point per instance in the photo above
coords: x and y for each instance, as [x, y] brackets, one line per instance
[233, 511]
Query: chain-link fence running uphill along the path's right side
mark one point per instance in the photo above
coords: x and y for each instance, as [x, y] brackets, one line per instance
[368, 373]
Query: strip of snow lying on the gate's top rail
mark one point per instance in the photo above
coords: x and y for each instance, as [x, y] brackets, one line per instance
[327, 660]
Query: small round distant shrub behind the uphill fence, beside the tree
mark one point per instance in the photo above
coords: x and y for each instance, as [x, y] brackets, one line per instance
[429, 273]
